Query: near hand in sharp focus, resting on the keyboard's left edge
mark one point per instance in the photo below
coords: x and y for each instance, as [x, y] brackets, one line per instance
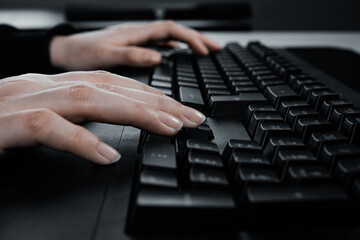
[40, 109]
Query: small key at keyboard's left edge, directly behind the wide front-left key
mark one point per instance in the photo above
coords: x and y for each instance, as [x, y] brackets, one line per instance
[158, 178]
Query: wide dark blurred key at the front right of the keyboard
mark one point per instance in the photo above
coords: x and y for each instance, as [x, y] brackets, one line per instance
[320, 203]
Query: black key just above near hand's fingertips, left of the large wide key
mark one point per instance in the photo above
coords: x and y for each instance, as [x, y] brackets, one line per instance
[191, 97]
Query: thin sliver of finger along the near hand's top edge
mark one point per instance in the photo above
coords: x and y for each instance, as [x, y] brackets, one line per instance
[104, 77]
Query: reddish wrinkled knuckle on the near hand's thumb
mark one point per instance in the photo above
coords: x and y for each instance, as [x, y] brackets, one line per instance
[37, 119]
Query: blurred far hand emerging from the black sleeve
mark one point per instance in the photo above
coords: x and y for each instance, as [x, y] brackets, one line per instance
[119, 45]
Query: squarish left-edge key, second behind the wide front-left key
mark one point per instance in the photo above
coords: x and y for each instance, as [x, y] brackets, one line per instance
[159, 155]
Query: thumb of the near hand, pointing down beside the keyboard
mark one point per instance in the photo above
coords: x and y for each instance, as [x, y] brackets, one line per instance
[42, 126]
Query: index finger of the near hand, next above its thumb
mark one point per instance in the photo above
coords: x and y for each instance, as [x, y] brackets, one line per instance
[84, 102]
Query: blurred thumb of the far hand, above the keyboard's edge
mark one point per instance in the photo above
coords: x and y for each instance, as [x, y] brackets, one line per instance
[137, 56]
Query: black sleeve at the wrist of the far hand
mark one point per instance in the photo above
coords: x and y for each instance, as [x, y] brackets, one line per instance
[27, 51]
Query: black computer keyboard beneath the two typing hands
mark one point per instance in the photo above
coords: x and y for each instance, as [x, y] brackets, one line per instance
[278, 148]
